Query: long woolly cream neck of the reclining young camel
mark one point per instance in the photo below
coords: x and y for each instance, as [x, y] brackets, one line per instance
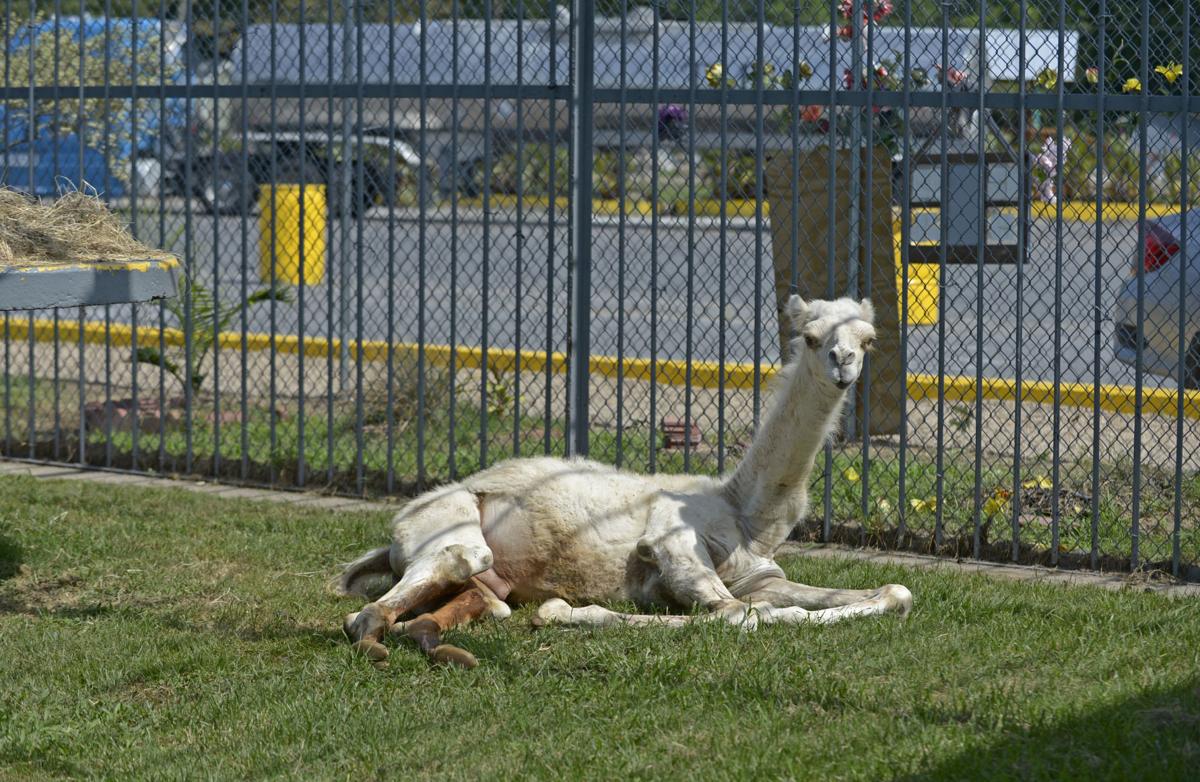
[770, 488]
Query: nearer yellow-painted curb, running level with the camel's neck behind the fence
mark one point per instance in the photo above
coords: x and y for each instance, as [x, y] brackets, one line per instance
[705, 375]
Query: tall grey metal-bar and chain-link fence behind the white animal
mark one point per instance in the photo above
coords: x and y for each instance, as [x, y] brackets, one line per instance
[398, 273]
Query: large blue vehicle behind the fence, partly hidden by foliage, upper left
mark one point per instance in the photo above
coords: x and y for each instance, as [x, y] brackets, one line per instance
[146, 147]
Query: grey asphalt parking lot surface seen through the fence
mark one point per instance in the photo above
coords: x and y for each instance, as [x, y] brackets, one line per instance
[511, 284]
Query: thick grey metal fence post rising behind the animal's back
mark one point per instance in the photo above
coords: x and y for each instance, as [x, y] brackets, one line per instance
[583, 82]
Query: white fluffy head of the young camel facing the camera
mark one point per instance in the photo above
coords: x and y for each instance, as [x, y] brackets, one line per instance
[835, 336]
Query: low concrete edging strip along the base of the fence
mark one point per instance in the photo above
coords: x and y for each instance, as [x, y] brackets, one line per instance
[993, 570]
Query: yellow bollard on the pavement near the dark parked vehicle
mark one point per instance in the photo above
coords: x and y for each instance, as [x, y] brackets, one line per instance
[291, 243]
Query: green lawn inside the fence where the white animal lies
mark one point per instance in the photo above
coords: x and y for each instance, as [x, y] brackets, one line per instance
[166, 635]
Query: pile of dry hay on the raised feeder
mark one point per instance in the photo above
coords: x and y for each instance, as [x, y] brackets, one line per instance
[76, 228]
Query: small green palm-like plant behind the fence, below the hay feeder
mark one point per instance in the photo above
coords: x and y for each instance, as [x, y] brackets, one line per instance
[209, 318]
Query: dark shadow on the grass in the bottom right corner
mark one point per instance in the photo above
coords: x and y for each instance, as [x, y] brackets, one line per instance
[1154, 736]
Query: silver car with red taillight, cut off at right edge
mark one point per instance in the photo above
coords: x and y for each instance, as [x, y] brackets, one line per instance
[1166, 258]
